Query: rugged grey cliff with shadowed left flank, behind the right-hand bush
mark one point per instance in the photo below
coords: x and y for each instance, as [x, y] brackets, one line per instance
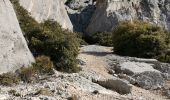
[109, 12]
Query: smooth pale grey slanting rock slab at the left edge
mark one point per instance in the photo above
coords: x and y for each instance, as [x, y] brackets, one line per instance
[14, 52]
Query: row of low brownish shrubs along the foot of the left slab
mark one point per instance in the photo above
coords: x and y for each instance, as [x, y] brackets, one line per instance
[43, 66]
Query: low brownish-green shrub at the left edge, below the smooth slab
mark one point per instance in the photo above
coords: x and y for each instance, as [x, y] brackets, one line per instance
[9, 79]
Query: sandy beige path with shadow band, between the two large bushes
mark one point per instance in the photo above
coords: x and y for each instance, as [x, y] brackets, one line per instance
[95, 60]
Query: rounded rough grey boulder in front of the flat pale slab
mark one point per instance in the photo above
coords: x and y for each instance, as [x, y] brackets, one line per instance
[149, 80]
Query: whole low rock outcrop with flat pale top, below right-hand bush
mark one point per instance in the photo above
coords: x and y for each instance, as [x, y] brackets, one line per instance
[145, 73]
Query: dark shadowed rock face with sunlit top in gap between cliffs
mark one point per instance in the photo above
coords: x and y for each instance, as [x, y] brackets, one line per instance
[80, 13]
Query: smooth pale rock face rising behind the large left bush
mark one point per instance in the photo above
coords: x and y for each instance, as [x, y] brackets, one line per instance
[48, 9]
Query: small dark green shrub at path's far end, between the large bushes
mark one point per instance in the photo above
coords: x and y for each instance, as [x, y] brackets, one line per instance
[104, 38]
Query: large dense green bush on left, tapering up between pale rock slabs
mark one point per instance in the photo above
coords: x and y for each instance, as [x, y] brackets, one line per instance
[49, 39]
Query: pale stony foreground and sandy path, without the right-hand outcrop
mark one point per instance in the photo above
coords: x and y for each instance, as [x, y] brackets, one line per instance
[94, 61]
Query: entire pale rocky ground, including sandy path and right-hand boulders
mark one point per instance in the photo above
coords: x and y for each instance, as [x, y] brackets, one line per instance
[104, 77]
